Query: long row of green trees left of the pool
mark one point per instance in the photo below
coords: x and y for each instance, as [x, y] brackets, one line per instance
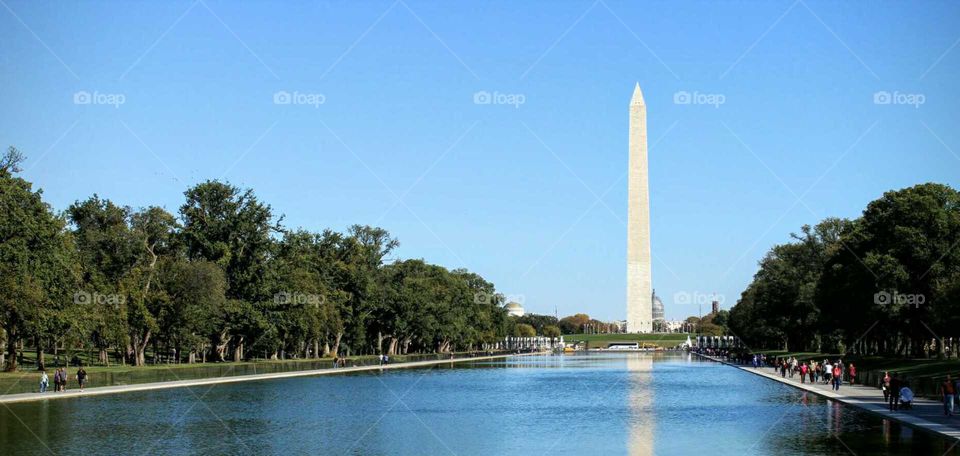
[220, 280]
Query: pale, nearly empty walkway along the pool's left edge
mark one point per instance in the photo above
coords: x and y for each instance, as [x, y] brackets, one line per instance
[24, 397]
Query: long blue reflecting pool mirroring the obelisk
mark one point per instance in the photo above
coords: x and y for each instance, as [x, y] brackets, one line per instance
[610, 403]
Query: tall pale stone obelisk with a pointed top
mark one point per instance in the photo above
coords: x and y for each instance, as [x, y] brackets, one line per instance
[639, 282]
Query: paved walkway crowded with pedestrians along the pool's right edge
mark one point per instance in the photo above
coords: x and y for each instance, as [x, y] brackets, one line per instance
[926, 414]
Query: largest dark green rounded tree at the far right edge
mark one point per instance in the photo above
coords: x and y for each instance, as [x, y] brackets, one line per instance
[896, 254]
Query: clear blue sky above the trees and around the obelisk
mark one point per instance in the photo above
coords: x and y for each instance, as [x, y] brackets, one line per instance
[386, 123]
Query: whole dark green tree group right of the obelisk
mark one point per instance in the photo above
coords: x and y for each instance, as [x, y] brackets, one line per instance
[885, 283]
